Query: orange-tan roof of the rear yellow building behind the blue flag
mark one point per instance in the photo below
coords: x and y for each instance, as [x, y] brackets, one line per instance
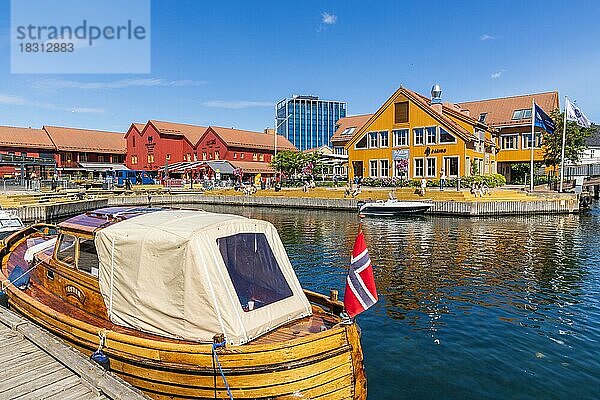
[500, 111]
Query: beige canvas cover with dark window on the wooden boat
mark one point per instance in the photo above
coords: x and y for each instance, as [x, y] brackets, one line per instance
[194, 274]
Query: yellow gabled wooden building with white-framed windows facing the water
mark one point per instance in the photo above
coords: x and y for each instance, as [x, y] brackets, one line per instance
[414, 137]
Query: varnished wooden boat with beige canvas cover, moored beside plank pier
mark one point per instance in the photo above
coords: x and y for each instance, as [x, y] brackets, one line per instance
[314, 355]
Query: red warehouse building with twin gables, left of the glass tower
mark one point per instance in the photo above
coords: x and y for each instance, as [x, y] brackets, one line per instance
[152, 145]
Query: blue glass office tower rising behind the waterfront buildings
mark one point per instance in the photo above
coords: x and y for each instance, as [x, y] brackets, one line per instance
[308, 122]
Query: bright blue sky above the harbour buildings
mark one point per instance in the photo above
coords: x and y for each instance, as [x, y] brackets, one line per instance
[228, 63]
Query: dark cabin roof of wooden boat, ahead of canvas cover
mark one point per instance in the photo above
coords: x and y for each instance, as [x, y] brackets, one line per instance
[92, 221]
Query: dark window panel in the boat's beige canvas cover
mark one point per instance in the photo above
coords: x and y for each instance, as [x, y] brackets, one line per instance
[253, 269]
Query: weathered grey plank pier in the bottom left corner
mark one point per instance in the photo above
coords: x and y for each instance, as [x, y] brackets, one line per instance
[36, 365]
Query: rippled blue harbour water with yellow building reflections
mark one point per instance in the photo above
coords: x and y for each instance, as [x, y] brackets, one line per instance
[489, 308]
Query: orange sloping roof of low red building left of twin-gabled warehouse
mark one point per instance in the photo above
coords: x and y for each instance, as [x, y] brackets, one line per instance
[73, 139]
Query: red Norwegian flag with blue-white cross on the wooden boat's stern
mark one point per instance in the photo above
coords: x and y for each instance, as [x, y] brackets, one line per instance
[361, 292]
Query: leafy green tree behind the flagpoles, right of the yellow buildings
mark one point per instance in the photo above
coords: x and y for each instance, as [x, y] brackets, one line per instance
[575, 141]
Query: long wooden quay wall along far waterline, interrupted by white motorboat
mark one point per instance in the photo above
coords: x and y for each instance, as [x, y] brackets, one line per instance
[50, 212]
